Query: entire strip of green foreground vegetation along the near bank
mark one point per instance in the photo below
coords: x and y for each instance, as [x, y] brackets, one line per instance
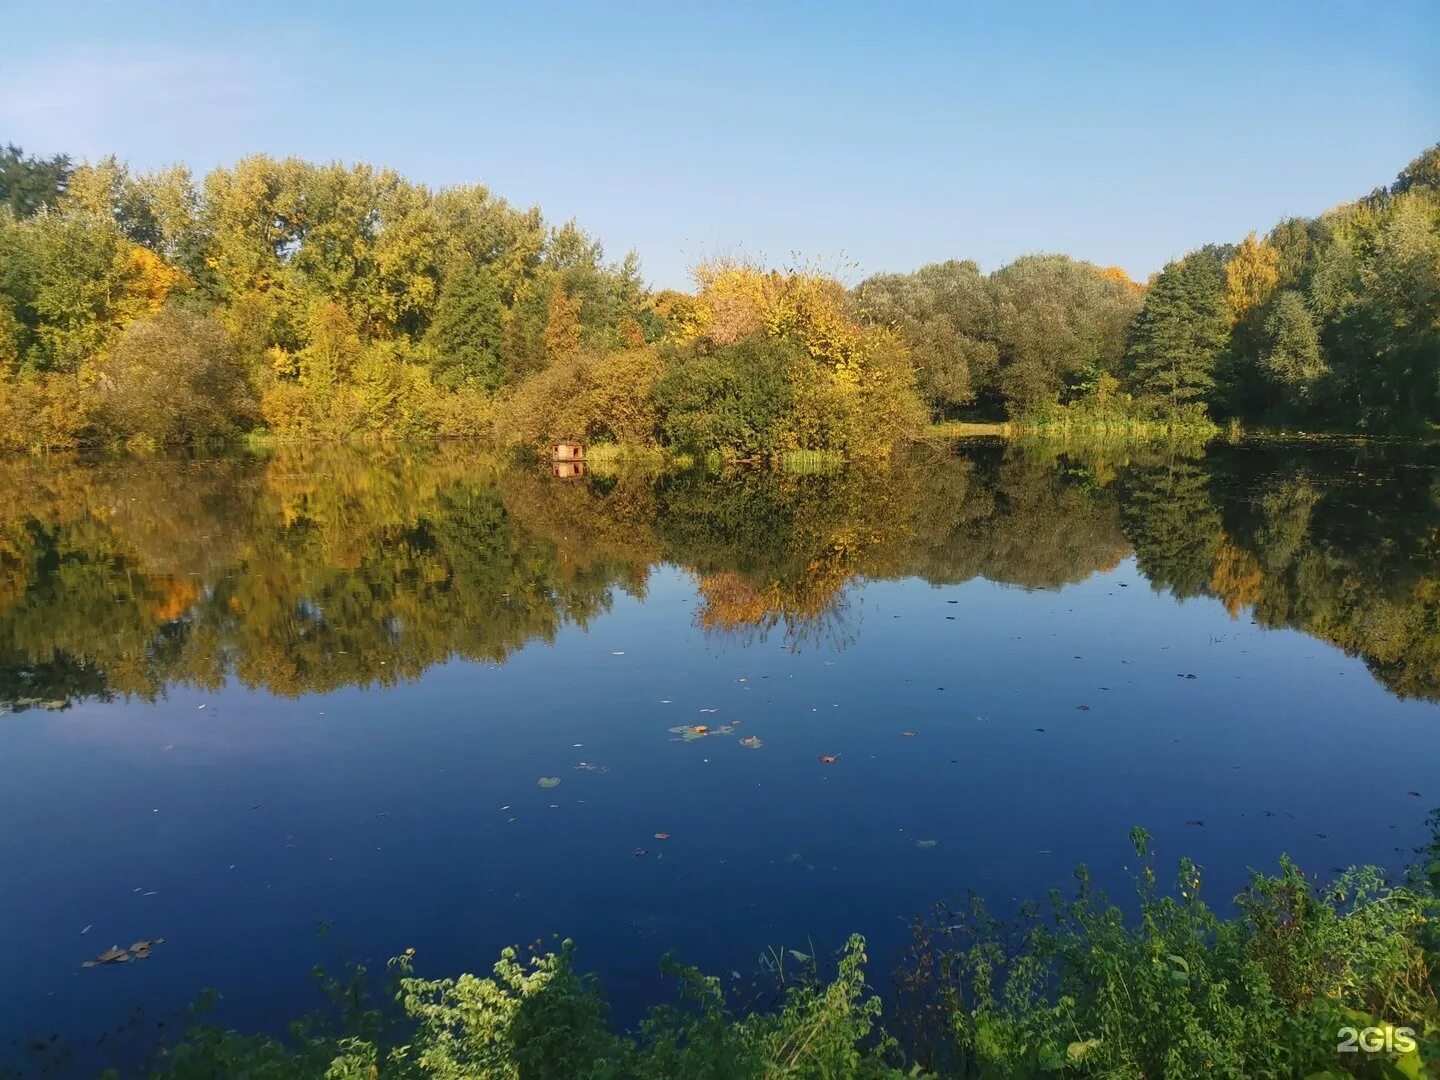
[1074, 987]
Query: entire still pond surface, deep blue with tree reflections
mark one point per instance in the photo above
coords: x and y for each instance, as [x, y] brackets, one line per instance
[250, 698]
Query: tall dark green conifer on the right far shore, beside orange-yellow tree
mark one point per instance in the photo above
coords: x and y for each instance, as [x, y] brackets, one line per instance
[1182, 333]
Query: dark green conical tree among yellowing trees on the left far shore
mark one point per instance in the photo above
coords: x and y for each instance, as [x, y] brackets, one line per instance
[466, 333]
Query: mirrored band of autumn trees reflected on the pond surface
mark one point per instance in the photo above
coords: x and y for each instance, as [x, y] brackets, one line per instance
[318, 570]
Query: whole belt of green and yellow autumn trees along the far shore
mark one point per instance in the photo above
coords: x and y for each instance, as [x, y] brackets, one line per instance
[329, 302]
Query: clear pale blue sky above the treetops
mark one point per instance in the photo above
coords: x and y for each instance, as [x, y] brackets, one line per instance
[888, 136]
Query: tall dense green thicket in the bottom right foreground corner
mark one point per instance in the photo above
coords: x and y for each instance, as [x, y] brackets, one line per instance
[1179, 991]
